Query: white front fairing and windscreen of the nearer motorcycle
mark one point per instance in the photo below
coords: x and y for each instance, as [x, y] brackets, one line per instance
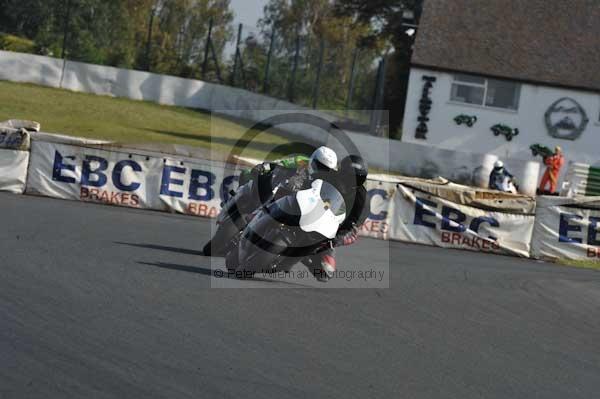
[322, 209]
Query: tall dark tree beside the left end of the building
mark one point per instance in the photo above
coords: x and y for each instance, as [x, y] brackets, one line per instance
[385, 18]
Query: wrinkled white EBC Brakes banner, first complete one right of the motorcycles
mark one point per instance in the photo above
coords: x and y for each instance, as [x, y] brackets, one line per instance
[420, 217]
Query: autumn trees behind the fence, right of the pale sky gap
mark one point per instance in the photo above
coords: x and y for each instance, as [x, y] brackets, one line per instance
[312, 24]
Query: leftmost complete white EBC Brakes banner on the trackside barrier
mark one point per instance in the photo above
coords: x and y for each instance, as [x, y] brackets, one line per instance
[94, 175]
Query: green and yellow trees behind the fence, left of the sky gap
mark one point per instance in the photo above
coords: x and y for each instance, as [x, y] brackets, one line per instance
[115, 32]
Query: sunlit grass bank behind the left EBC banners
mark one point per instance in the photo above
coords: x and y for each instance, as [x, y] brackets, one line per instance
[126, 121]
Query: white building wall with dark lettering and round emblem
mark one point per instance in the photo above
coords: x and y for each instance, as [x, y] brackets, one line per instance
[529, 119]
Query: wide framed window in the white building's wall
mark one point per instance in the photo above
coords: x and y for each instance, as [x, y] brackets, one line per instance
[485, 92]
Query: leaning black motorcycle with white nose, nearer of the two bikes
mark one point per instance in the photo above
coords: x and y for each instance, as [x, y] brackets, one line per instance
[296, 225]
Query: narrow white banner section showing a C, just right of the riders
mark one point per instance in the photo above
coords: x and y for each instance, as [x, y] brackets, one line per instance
[379, 197]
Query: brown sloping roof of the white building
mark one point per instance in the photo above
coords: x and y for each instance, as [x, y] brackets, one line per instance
[555, 42]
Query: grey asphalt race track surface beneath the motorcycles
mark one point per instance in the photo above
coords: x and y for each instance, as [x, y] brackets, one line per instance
[104, 302]
